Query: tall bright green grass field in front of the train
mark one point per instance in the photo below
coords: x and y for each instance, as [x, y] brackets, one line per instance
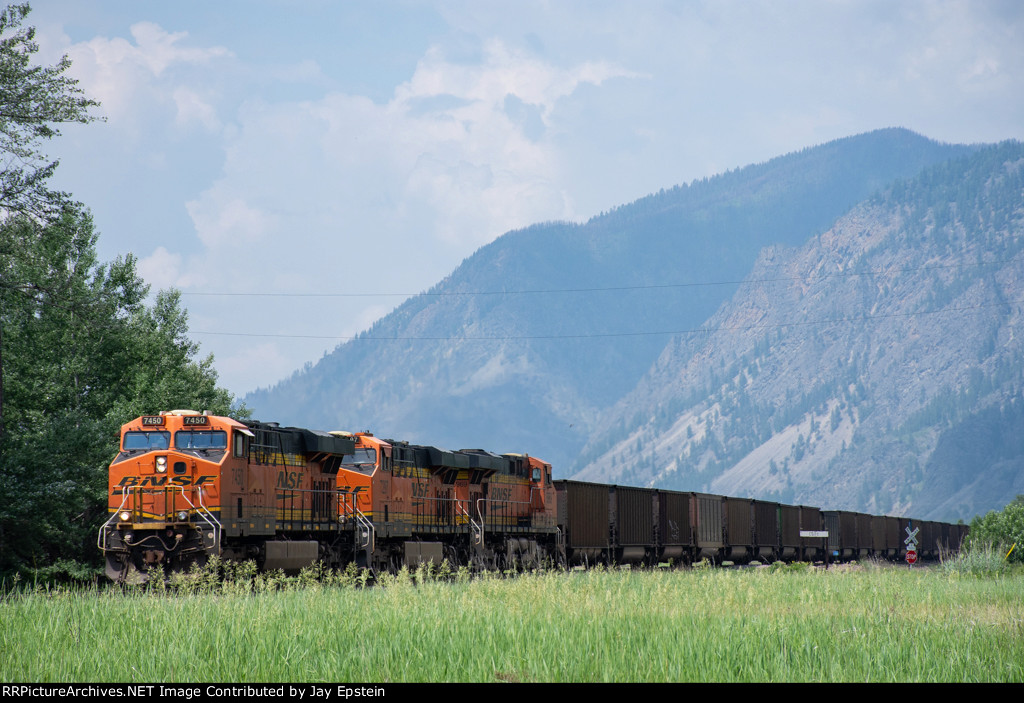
[845, 625]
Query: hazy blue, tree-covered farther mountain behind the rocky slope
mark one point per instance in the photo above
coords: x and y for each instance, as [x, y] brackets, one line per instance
[530, 342]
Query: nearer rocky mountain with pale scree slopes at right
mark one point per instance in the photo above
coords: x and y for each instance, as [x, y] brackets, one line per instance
[878, 367]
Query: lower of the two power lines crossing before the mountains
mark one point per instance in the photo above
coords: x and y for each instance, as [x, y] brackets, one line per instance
[699, 331]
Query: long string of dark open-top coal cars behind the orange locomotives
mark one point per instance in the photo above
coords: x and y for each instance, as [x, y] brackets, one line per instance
[624, 524]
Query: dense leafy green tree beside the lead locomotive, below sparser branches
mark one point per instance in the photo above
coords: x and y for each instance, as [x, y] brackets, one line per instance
[84, 354]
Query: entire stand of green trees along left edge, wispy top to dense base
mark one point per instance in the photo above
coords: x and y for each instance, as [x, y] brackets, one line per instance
[80, 350]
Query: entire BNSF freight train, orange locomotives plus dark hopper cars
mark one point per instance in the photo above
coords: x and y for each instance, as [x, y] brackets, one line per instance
[189, 486]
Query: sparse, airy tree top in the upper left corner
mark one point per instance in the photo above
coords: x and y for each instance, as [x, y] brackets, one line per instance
[33, 101]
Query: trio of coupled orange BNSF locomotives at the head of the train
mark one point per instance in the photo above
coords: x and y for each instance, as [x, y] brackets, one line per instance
[187, 486]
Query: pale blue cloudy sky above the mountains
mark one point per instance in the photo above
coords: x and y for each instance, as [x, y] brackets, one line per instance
[297, 170]
